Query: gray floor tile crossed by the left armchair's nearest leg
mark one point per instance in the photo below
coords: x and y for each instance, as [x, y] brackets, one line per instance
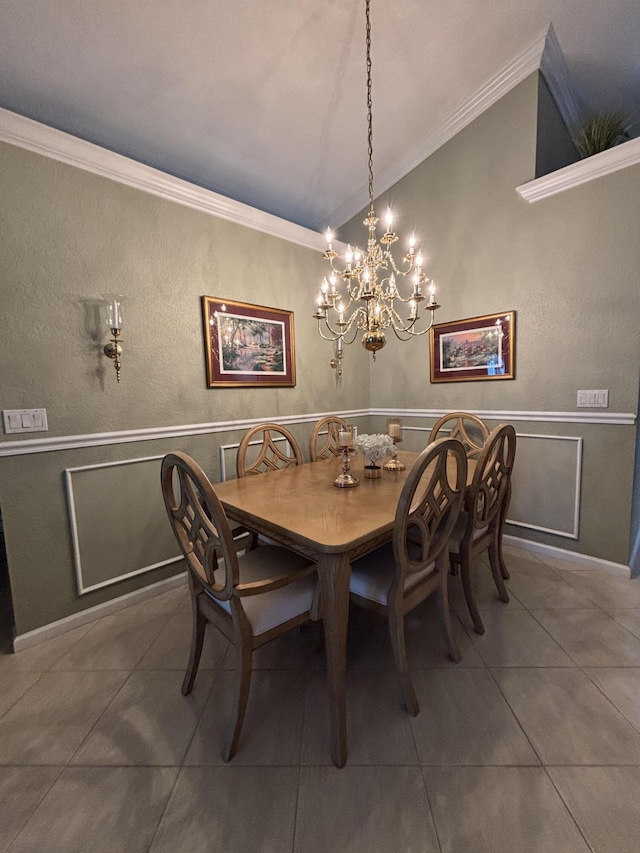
[272, 730]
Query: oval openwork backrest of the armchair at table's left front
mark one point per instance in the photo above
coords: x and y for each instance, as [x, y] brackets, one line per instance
[200, 524]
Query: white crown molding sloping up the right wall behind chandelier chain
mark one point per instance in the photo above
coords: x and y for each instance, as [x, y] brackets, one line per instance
[495, 88]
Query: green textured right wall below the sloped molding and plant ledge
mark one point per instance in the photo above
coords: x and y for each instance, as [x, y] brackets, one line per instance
[568, 265]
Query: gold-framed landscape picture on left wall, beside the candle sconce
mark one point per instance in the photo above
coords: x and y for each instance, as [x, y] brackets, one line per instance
[247, 345]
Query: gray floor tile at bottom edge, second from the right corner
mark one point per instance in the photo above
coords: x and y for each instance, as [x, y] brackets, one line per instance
[500, 810]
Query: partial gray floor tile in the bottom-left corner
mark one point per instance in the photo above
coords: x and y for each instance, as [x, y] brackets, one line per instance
[21, 789]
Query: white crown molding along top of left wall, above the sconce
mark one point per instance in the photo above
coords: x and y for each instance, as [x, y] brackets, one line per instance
[55, 144]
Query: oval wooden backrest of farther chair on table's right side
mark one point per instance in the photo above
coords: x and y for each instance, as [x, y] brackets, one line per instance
[492, 479]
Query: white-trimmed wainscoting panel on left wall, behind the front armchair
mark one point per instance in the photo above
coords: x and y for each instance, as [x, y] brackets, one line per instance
[119, 524]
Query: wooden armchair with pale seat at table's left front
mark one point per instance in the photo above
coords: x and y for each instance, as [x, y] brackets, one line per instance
[250, 599]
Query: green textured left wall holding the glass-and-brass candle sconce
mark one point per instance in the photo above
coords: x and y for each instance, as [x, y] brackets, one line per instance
[67, 237]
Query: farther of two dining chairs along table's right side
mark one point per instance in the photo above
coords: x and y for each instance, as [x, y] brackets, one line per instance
[480, 524]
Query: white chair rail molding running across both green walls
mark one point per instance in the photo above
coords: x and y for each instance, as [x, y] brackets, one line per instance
[23, 447]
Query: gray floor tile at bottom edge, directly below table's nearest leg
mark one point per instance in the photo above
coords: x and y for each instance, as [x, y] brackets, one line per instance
[363, 809]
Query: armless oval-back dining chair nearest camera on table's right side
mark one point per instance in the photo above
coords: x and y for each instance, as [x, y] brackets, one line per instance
[398, 576]
